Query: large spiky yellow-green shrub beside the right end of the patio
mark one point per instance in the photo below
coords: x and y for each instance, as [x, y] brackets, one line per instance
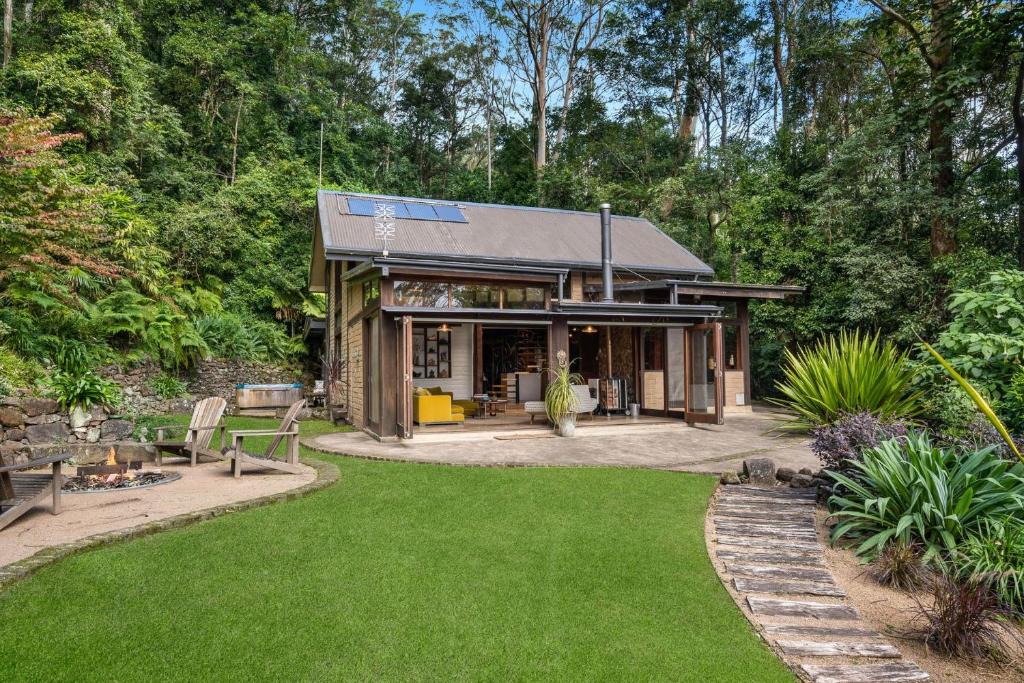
[845, 375]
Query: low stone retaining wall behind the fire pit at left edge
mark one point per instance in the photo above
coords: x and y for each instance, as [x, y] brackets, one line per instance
[27, 422]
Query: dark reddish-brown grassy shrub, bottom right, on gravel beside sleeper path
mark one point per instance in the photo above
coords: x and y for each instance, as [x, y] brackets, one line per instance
[966, 619]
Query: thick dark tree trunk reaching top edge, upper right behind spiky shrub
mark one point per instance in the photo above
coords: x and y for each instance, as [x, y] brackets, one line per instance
[941, 142]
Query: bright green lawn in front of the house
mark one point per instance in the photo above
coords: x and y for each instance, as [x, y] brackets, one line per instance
[403, 572]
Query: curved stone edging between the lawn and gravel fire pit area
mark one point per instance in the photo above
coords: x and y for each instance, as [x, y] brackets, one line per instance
[327, 475]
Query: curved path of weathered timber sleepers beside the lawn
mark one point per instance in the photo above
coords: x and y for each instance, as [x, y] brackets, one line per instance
[767, 548]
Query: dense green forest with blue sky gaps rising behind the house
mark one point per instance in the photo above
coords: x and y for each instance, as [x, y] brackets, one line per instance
[159, 159]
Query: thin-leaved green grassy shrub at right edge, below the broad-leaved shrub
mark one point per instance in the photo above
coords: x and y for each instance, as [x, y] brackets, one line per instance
[996, 552]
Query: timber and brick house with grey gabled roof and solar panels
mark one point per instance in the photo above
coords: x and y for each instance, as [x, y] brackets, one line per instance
[471, 300]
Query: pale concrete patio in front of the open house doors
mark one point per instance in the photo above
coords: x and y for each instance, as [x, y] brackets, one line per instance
[672, 446]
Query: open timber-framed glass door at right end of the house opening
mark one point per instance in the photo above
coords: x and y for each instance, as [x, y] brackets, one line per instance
[706, 391]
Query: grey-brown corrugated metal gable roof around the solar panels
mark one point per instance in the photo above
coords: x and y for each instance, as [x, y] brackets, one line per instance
[506, 234]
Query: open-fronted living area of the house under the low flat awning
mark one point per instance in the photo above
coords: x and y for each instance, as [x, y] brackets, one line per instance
[668, 360]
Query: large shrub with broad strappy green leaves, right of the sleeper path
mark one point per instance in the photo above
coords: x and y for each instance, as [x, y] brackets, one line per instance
[912, 491]
